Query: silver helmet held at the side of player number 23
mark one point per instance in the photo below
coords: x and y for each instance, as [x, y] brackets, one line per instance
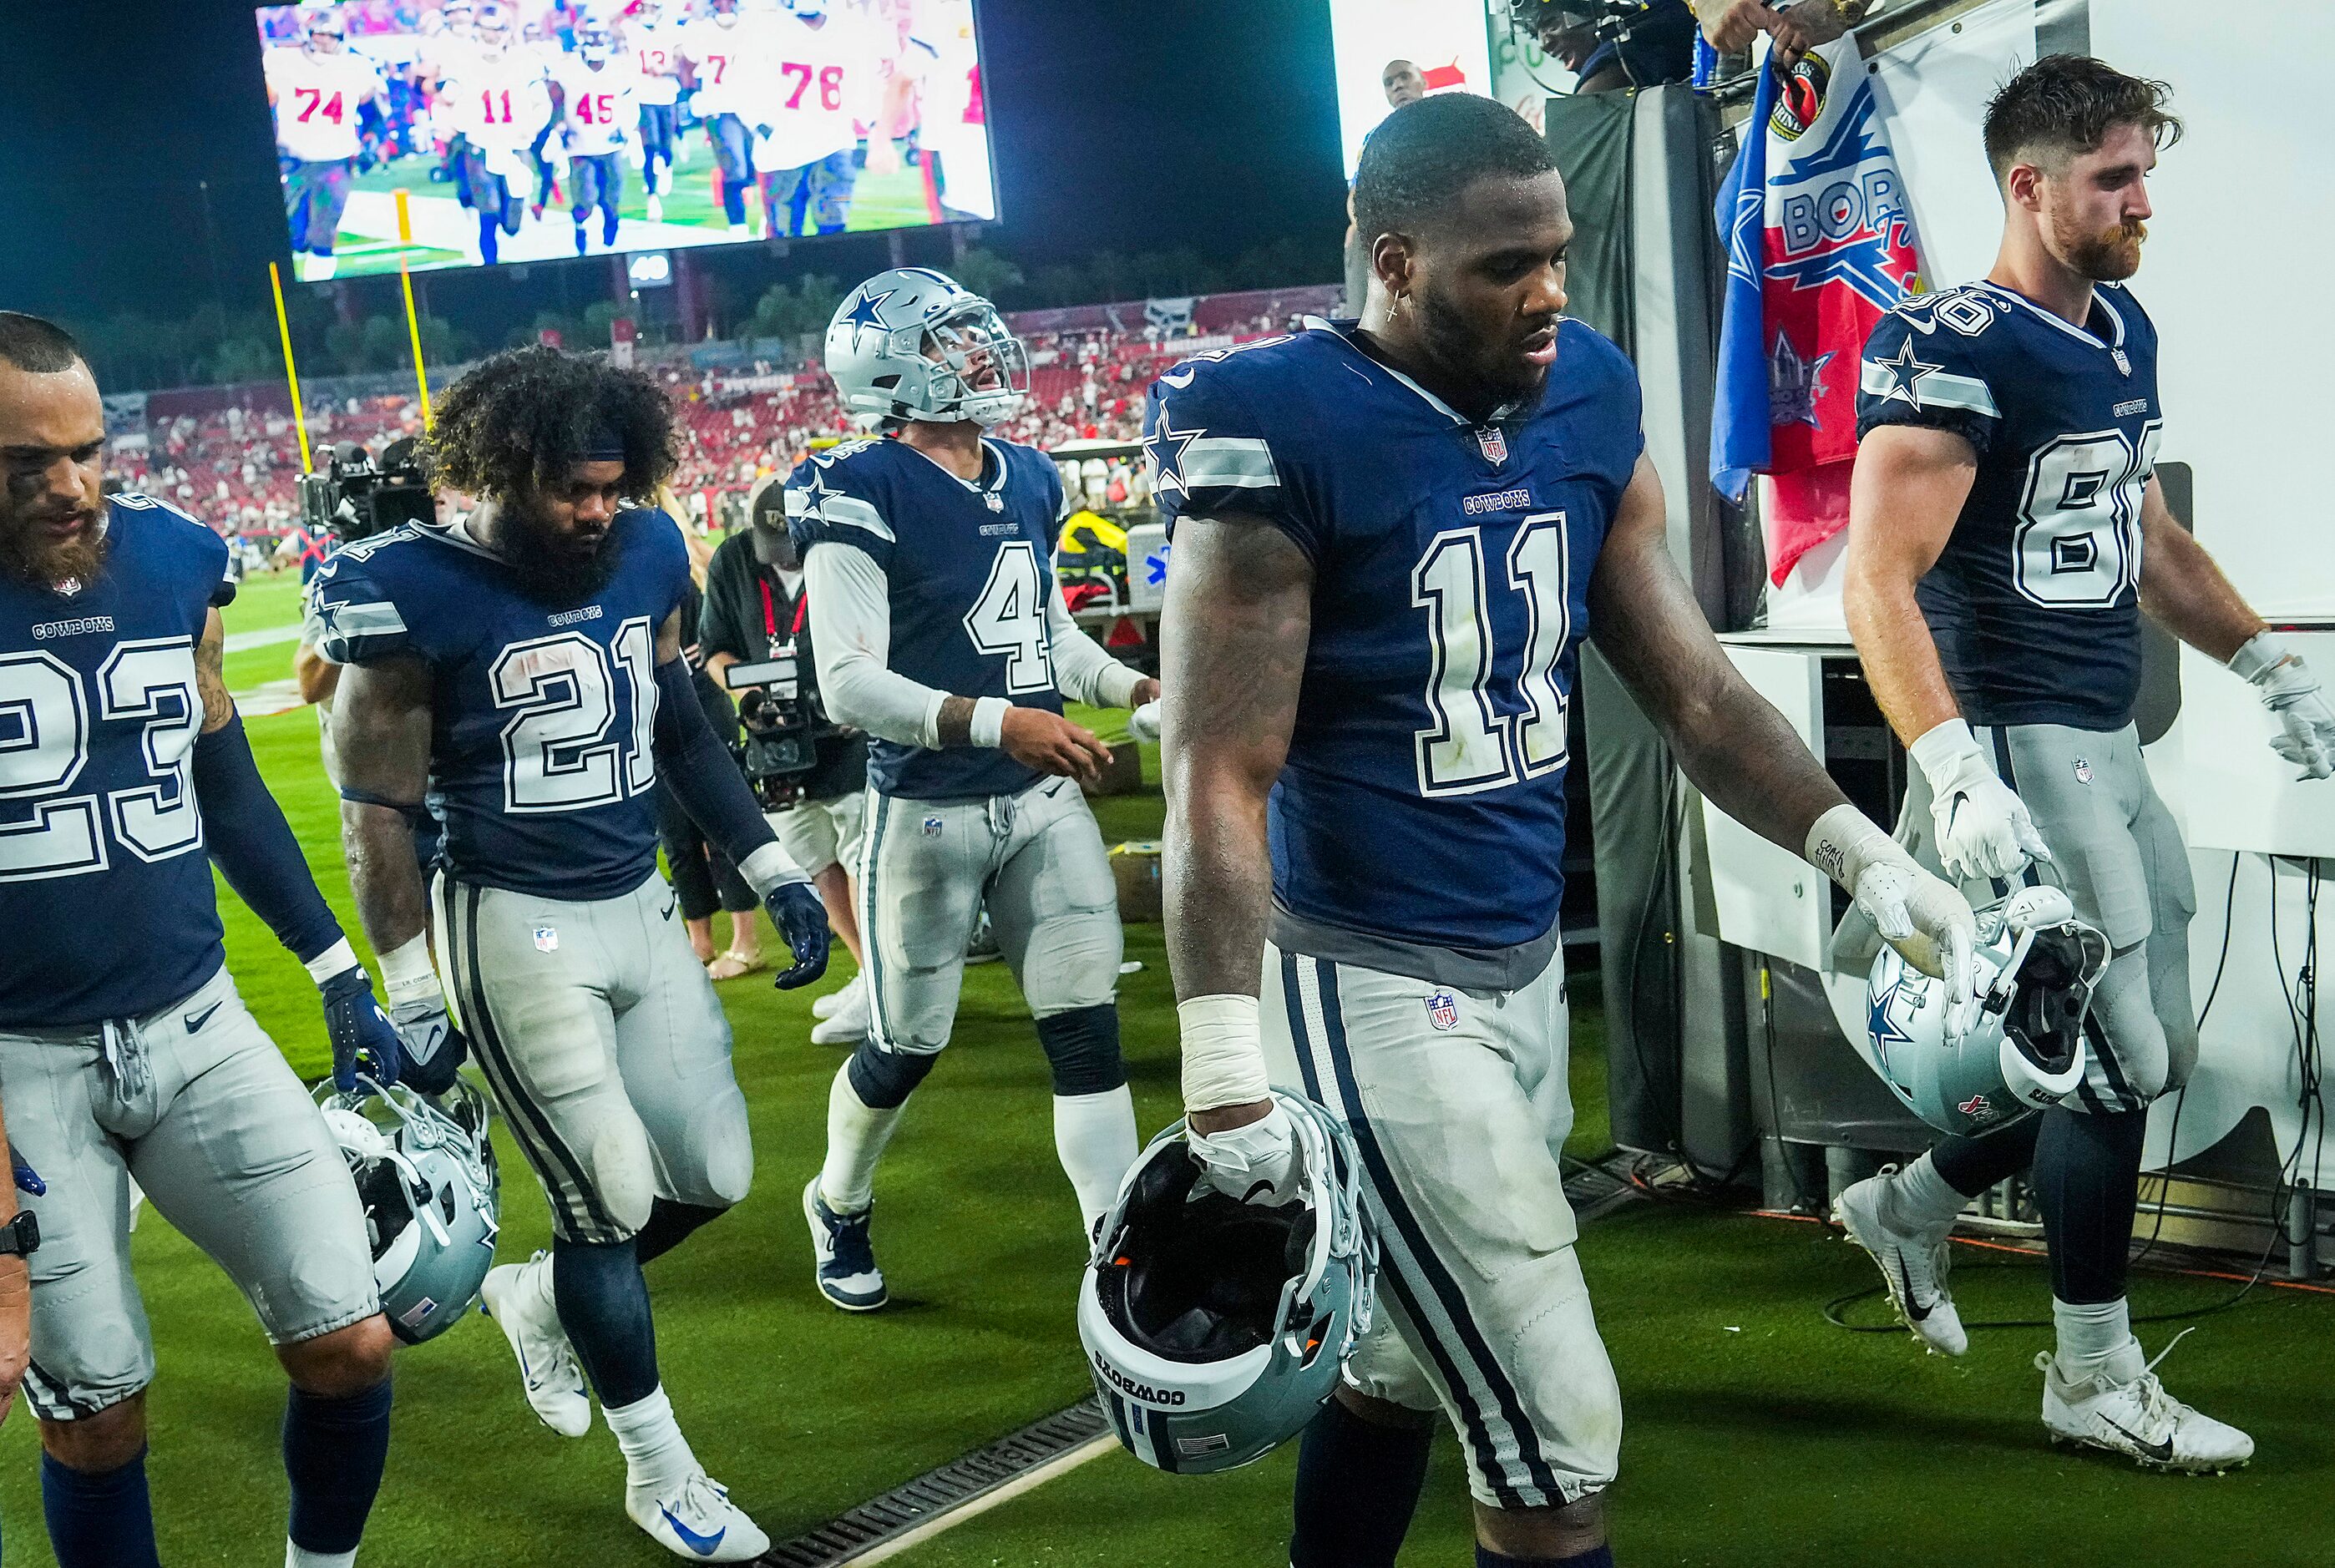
[433, 1198]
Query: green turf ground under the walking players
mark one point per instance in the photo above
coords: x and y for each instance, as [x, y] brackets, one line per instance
[1759, 1436]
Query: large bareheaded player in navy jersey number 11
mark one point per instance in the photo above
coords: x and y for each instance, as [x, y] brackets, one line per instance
[1390, 540]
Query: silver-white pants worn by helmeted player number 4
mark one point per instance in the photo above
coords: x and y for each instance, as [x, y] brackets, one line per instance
[930, 867]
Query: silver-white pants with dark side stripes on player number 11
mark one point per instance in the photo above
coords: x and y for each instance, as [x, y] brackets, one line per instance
[1461, 1105]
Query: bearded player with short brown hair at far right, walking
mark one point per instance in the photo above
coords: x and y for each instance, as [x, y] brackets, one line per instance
[2007, 535]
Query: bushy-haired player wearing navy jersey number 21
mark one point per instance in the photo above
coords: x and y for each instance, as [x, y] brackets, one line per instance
[527, 661]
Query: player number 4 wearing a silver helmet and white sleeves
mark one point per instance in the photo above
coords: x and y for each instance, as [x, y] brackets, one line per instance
[942, 633]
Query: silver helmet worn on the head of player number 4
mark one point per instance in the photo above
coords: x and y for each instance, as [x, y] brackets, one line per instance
[912, 344]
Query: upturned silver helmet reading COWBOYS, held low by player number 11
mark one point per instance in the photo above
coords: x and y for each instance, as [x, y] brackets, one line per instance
[1218, 1329]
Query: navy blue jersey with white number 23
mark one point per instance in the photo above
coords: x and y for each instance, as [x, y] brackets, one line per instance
[106, 895]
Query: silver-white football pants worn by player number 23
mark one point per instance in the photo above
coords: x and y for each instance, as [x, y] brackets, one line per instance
[202, 1109]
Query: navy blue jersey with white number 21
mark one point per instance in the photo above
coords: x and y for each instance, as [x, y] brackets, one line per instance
[541, 717]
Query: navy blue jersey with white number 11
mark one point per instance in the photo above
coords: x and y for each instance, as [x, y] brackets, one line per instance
[1423, 801]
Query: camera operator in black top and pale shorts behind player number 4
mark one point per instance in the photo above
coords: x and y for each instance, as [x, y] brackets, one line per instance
[753, 610]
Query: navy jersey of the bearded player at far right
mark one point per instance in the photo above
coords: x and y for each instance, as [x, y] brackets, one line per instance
[2037, 598]
